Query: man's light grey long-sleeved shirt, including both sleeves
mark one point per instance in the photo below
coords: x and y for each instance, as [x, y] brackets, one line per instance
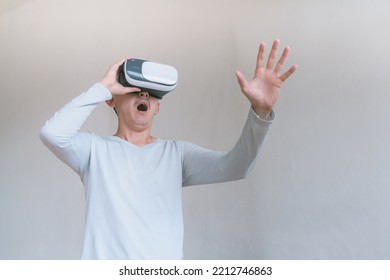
[134, 194]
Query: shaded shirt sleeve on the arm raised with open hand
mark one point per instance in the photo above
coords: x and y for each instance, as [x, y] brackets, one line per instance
[203, 166]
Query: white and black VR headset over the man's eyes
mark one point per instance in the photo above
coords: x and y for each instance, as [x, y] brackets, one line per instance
[154, 78]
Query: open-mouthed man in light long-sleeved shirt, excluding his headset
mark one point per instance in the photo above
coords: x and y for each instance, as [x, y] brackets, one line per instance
[133, 180]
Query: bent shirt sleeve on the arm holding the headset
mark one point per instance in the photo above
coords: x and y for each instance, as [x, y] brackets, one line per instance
[61, 132]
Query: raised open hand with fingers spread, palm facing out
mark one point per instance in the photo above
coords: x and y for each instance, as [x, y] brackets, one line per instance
[263, 90]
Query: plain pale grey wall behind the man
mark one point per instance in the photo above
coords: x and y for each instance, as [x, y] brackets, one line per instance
[321, 187]
